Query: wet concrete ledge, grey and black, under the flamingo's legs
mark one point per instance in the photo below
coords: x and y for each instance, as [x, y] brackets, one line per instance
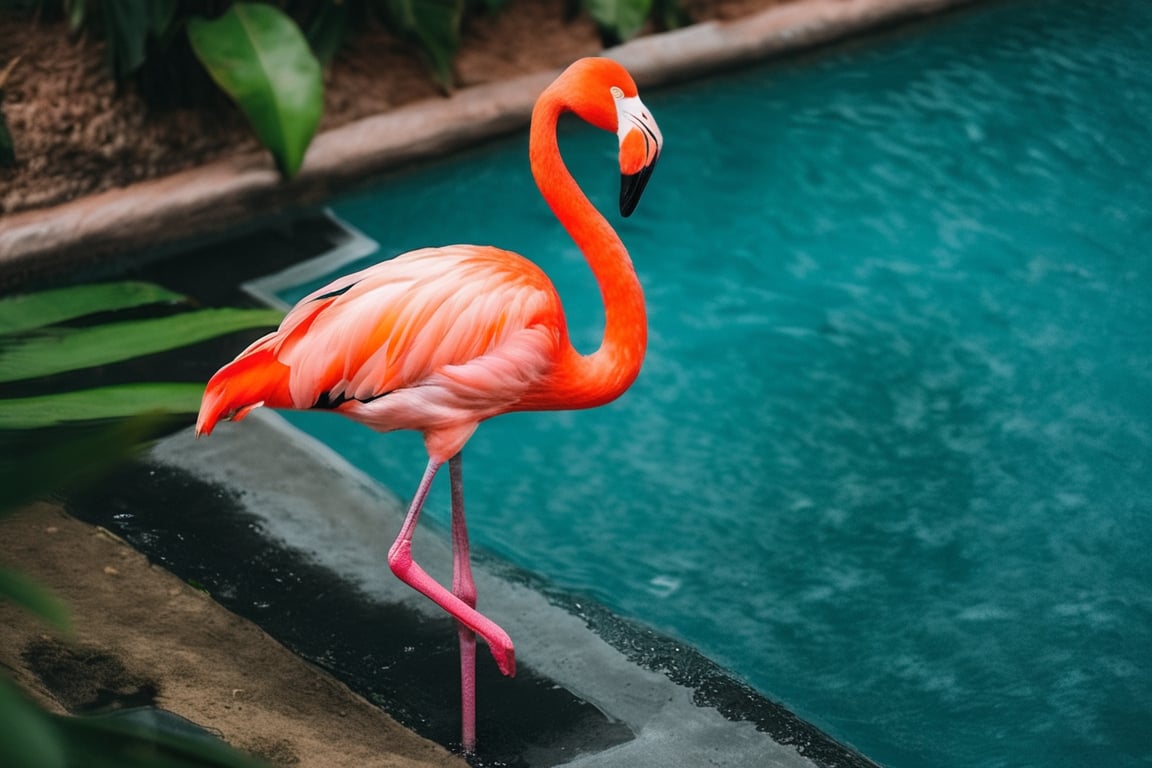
[286, 534]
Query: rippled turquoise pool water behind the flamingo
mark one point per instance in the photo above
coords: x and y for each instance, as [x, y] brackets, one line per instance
[891, 457]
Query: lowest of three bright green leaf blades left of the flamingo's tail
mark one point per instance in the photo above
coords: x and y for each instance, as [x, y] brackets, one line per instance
[116, 402]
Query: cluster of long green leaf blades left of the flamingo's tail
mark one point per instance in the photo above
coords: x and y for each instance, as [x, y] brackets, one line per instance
[54, 436]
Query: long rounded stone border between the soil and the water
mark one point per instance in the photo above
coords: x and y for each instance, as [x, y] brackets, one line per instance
[230, 194]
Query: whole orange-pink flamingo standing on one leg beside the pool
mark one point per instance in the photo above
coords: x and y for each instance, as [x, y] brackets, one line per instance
[441, 339]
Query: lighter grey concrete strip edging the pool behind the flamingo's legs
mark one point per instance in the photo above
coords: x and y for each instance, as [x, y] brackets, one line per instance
[312, 500]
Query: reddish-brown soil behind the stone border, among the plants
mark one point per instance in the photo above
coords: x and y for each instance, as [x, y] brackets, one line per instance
[75, 134]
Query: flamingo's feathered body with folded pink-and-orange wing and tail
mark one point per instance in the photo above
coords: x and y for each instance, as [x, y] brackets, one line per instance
[435, 339]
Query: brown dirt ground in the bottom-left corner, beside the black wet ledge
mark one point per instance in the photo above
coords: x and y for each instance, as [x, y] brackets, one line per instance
[146, 638]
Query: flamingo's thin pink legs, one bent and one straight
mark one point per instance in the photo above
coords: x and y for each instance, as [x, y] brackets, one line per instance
[408, 571]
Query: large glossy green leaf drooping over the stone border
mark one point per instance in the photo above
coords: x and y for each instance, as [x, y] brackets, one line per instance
[261, 59]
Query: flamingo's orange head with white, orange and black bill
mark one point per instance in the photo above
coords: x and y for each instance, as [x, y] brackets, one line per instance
[602, 93]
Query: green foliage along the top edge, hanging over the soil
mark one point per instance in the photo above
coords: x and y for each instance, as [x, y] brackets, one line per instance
[269, 58]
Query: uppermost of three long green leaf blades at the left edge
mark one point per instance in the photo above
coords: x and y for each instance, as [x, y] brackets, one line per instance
[29, 311]
